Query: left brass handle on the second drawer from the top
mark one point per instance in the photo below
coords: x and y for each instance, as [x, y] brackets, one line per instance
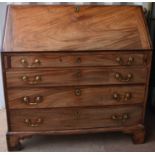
[36, 79]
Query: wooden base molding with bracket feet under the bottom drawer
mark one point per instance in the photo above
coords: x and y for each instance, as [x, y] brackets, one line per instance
[14, 138]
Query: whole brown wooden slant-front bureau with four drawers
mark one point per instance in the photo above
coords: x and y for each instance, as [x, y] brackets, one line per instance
[75, 70]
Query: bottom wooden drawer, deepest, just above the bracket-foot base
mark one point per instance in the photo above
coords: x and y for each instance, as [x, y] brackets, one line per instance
[74, 118]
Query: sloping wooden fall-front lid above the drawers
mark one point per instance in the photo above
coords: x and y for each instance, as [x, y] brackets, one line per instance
[71, 28]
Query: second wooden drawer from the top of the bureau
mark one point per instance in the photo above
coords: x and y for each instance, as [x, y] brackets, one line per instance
[76, 76]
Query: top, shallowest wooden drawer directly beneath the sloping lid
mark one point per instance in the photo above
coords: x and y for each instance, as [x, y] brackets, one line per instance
[67, 60]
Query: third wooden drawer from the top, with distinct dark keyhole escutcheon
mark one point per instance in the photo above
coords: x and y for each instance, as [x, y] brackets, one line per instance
[74, 96]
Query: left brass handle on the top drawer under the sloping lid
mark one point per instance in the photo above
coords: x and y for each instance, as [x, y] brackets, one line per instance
[25, 63]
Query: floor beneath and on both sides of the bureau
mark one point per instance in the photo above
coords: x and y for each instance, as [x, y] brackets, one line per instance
[103, 142]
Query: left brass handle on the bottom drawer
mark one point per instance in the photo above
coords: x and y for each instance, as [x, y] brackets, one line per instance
[34, 123]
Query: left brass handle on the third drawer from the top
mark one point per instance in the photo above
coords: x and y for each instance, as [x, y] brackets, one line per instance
[37, 99]
